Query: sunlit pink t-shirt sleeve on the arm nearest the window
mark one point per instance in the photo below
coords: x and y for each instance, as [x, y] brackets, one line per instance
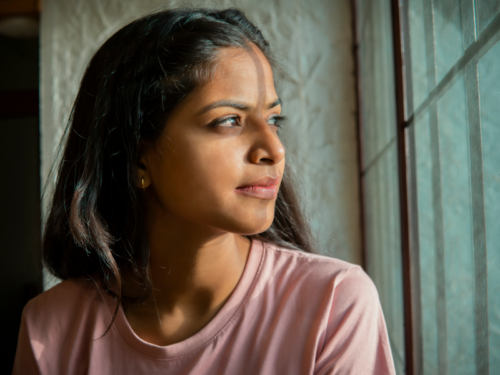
[356, 340]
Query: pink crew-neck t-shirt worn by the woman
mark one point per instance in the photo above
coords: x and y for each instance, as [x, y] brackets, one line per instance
[290, 313]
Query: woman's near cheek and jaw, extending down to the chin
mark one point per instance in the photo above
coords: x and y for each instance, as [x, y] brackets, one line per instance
[197, 184]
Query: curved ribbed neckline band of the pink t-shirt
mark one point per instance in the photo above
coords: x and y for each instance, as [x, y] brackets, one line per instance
[213, 329]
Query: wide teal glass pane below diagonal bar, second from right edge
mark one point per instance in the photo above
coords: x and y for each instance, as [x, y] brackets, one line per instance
[457, 224]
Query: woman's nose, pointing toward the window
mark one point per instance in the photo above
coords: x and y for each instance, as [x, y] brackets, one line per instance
[266, 145]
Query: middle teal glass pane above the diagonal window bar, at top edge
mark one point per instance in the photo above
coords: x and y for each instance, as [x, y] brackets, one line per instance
[448, 35]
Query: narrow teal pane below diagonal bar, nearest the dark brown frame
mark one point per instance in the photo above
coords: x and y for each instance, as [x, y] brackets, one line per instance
[427, 245]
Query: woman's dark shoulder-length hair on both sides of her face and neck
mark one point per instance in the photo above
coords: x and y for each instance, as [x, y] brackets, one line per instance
[95, 223]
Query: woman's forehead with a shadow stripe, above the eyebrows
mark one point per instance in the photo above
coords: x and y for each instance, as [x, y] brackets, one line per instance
[243, 74]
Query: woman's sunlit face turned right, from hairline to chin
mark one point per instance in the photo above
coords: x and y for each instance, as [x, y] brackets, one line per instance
[221, 138]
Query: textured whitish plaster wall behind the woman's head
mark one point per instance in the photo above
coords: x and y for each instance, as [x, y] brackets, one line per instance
[312, 39]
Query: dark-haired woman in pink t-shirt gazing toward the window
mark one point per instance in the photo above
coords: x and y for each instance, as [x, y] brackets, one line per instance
[176, 228]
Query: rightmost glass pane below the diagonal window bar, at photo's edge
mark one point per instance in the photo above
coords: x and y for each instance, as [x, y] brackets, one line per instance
[489, 92]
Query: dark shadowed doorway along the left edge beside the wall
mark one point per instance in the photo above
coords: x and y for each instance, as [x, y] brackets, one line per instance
[20, 273]
